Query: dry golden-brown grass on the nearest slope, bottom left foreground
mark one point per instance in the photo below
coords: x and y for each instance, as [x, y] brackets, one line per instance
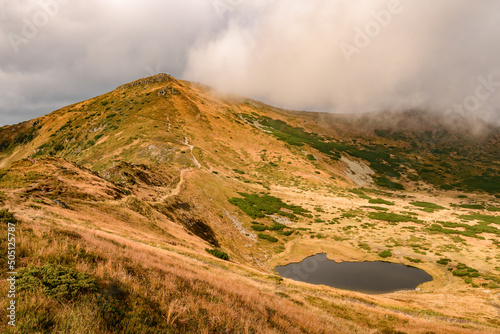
[183, 294]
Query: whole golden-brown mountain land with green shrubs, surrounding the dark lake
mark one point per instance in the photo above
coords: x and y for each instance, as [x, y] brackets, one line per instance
[164, 206]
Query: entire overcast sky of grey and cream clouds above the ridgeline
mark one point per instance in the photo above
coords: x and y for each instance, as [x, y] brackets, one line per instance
[338, 56]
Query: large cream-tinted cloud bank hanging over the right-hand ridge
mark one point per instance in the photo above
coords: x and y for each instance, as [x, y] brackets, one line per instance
[359, 55]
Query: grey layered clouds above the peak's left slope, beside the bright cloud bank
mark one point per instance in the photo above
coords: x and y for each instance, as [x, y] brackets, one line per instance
[87, 48]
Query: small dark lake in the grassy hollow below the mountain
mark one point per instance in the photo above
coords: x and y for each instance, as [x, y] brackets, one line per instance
[367, 277]
